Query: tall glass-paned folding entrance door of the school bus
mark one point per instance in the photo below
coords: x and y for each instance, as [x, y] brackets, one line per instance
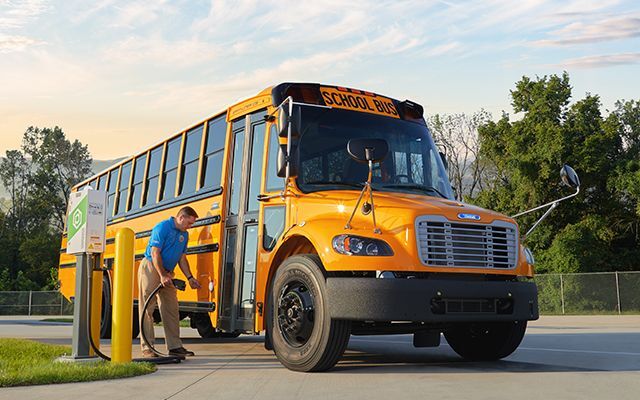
[237, 311]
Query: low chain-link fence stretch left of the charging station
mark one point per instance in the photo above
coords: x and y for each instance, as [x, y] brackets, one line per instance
[34, 303]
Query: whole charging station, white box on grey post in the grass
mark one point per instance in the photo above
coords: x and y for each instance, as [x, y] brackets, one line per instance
[86, 226]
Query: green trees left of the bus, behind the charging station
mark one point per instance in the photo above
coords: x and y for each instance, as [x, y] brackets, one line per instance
[38, 178]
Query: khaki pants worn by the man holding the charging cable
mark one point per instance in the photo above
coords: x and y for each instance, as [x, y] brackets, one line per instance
[167, 298]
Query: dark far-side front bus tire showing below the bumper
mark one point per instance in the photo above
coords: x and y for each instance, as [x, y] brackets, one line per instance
[486, 341]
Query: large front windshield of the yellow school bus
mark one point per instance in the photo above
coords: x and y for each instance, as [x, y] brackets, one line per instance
[413, 164]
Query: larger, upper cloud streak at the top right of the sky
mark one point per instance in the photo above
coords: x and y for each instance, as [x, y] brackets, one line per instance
[583, 32]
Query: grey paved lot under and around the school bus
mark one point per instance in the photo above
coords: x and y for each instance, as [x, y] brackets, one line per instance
[560, 358]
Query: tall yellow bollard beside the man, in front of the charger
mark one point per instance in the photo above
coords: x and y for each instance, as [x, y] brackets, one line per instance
[121, 328]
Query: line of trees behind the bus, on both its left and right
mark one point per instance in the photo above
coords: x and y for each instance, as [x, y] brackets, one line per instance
[508, 165]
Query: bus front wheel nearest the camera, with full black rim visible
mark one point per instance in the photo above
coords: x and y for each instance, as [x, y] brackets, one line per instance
[304, 336]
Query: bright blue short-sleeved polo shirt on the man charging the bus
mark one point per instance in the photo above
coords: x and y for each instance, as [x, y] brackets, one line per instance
[171, 241]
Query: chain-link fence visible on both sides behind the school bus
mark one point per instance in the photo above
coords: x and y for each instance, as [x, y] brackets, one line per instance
[588, 293]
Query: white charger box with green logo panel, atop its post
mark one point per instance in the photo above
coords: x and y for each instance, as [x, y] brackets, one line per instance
[86, 221]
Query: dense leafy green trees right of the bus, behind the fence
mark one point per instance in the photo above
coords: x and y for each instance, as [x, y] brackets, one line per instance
[591, 232]
